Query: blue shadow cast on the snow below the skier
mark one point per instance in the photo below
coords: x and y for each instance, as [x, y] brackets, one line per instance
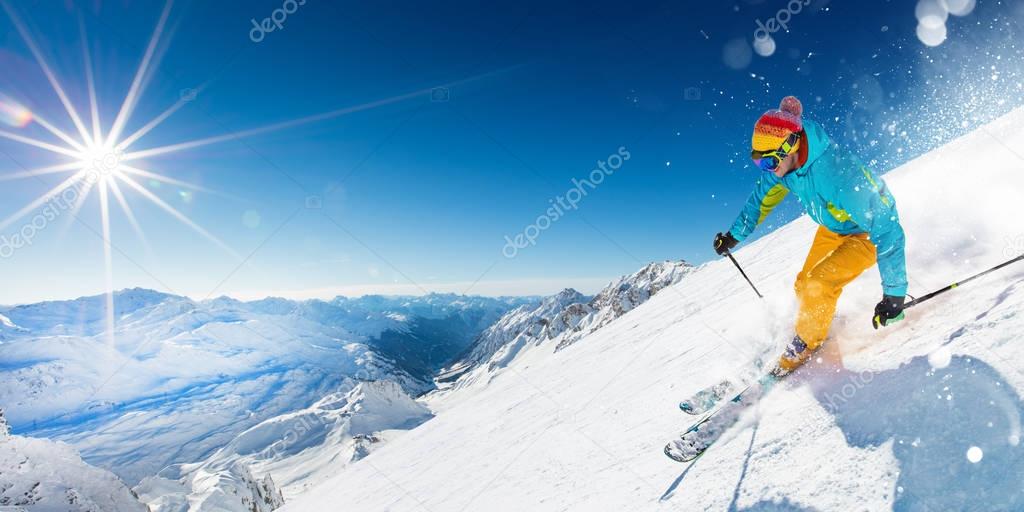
[933, 417]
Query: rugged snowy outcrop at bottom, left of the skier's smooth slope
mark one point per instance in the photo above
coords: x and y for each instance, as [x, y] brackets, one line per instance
[295, 451]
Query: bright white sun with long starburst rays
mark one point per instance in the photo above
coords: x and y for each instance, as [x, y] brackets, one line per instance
[101, 162]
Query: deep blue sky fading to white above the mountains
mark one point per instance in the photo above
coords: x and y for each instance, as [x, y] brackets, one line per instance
[417, 195]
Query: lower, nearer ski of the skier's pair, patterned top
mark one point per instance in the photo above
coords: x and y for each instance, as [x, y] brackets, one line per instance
[697, 440]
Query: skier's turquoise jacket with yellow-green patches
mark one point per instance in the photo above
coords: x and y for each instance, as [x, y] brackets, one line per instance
[841, 194]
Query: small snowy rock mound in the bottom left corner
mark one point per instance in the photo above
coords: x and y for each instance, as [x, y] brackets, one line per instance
[39, 476]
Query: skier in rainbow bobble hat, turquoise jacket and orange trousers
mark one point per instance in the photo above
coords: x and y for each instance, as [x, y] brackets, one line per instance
[857, 214]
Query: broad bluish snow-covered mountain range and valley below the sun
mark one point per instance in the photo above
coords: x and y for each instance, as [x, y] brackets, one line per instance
[184, 377]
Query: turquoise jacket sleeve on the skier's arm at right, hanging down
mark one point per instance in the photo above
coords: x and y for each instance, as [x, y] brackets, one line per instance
[872, 206]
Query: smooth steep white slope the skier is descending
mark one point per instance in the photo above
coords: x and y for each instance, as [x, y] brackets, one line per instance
[883, 420]
